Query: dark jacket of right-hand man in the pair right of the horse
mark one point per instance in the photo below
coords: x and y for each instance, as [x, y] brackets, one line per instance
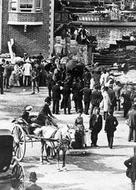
[111, 124]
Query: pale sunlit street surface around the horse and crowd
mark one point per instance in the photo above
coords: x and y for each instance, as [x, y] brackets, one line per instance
[96, 169]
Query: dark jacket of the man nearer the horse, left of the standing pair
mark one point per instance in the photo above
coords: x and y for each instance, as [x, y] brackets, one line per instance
[95, 123]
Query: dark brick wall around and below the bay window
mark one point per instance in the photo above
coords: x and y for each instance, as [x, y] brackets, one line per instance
[35, 40]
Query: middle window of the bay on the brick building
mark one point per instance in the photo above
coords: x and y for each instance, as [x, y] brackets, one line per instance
[26, 5]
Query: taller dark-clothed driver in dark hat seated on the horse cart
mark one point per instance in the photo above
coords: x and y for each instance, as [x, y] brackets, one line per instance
[45, 116]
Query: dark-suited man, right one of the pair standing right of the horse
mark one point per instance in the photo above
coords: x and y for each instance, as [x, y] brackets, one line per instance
[110, 127]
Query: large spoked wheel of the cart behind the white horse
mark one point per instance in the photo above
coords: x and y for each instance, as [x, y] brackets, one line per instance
[19, 144]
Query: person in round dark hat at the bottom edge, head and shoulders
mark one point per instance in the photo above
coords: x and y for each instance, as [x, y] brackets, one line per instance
[33, 179]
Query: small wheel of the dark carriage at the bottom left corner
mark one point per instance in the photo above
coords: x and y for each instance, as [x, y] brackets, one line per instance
[18, 172]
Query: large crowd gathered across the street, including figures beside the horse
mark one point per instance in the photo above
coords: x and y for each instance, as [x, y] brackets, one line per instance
[69, 80]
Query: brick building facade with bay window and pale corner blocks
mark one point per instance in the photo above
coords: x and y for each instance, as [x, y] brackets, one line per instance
[29, 23]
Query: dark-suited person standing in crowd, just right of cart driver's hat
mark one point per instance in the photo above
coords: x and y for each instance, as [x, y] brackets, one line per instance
[56, 96]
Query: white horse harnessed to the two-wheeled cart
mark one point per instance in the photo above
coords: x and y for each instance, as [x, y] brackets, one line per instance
[58, 139]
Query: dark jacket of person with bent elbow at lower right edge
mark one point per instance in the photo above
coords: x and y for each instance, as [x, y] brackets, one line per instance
[131, 168]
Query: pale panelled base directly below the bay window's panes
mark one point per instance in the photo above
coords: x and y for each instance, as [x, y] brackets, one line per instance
[19, 18]
